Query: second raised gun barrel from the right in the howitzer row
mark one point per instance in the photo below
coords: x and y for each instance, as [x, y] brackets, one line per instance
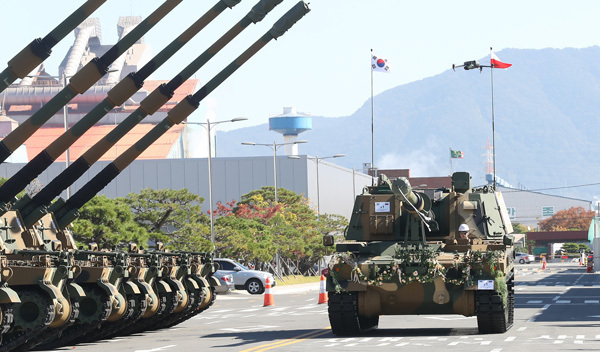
[148, 106]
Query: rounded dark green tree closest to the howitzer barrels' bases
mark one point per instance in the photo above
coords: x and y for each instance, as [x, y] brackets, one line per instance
[109, 223]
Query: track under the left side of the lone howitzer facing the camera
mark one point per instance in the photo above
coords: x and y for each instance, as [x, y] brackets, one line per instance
[344, 317]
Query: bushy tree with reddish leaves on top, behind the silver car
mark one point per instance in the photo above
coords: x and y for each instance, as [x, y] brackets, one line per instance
[257, 228]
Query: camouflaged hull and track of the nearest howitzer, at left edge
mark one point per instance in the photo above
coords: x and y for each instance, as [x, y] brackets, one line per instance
[43, 280]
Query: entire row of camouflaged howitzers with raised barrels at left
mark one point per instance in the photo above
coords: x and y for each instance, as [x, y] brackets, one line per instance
[54, 294]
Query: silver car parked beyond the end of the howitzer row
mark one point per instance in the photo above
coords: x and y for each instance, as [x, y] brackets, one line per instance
[253, 281]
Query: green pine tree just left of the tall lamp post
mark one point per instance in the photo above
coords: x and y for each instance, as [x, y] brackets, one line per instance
[173, 217]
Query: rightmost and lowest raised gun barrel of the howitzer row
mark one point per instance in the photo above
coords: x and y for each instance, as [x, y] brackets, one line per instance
[66, 213]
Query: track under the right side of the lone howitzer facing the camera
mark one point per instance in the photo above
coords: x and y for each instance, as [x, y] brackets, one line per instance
[493, 316]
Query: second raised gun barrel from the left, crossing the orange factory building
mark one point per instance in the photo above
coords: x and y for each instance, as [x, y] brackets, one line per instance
[81, 81]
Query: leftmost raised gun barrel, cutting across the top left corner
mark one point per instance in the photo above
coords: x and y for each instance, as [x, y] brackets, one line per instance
[40, 49]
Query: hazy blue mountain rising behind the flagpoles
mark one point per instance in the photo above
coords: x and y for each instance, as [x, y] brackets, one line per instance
[546, 118]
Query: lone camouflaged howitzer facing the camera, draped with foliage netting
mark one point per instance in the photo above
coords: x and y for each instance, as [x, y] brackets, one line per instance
[403, 256]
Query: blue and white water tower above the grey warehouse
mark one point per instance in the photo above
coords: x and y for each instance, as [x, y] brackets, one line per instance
[290, 124]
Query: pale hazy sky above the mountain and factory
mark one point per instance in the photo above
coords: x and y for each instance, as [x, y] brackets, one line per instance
[322, 65]
